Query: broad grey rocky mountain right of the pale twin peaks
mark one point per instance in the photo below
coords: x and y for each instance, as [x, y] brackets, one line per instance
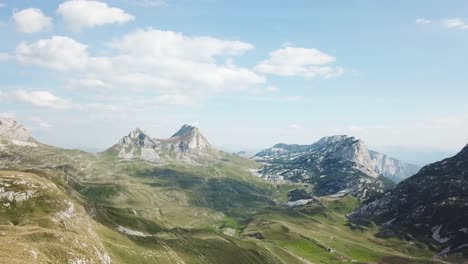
[333, 164]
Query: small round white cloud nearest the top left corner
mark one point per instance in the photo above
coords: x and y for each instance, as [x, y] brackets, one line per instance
[31, 20]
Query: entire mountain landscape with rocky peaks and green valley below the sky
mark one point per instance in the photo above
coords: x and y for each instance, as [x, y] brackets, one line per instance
[180, 200]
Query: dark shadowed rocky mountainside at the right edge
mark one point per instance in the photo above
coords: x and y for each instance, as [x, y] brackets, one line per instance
[431, 205]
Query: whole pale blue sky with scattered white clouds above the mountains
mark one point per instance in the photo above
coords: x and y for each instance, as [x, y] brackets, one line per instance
[249, 74]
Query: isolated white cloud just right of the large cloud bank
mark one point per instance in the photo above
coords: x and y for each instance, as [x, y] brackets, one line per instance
[291, 61]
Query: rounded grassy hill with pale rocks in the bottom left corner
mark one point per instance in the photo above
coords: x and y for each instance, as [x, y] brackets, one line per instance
[39, 223]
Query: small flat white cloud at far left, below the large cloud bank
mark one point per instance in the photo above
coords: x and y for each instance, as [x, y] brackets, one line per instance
[42, 99]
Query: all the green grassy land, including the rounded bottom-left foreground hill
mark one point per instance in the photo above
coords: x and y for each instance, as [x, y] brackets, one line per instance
[137, 211]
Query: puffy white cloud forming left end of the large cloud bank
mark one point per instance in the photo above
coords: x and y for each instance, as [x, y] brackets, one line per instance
[58, 53]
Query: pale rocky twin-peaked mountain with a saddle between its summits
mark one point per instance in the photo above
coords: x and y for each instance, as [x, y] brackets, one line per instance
[186, 144]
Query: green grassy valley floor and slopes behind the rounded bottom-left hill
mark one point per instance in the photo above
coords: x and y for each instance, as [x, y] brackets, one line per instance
[205, 214]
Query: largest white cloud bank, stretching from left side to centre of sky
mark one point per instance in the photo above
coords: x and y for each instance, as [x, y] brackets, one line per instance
[167, 62]
